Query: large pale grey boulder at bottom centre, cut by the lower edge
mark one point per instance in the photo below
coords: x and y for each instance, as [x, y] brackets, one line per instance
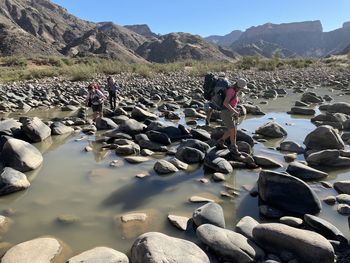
[154, 247]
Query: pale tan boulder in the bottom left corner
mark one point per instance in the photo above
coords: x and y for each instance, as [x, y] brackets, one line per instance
[45, 250]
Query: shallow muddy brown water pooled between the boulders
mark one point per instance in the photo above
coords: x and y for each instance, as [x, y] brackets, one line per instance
[84, 185]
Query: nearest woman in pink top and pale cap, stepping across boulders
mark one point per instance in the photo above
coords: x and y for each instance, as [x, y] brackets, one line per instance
[230, 113]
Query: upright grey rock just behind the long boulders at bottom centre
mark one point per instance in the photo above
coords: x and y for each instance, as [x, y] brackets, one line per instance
[210, 213]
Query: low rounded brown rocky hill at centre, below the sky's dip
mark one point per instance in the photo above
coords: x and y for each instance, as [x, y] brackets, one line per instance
[180, 46]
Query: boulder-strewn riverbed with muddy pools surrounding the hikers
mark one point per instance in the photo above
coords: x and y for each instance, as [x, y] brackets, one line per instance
[147, 184]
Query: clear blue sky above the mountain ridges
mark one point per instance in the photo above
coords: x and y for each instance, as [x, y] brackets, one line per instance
[208, 17]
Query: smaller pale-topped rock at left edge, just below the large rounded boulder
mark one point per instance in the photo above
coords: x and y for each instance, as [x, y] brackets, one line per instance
[12, 181]
